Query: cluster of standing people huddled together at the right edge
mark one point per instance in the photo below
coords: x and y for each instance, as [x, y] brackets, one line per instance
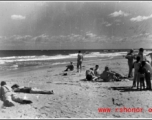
[142, 69]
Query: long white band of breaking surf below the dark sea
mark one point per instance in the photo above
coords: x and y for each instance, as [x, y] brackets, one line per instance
[4, 60]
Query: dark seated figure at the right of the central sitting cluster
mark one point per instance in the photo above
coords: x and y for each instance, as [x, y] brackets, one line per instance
[108, 75]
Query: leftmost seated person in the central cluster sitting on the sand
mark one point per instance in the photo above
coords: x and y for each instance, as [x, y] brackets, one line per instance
[90, 76]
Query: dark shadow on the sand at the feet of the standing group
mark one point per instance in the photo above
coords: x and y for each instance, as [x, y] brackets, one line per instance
[126, 89]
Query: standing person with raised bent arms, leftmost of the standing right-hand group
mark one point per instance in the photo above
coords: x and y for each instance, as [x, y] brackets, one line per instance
[130, 56]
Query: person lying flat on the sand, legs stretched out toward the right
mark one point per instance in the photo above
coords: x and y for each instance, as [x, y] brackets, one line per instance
[17, 88]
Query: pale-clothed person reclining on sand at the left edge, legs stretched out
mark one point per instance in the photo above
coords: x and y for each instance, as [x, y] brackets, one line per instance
[9, 97]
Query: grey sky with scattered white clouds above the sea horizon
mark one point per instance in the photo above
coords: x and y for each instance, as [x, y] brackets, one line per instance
[75, 25]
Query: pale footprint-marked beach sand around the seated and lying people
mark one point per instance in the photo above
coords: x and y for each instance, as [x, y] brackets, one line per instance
[75, 98]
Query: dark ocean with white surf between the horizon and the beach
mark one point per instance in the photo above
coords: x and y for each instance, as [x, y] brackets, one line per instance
[19, 59]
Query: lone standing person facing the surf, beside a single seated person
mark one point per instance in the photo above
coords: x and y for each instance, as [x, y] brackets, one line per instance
[79, 61]
